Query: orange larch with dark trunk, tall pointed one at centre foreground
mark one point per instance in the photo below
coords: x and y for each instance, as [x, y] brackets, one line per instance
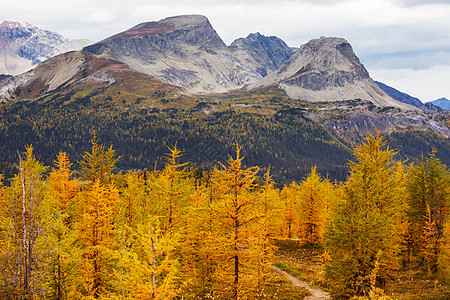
[238, 235]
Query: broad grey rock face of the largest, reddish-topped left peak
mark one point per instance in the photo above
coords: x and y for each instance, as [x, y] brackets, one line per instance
[183, 50]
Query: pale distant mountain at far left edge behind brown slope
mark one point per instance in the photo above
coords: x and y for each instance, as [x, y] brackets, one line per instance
[23, 46]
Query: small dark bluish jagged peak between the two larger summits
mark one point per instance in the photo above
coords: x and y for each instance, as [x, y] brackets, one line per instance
[263, 53]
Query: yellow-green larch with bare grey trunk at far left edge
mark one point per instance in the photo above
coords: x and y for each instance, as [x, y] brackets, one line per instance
[21, 261]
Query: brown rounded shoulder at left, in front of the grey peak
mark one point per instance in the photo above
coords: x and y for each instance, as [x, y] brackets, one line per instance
[78, 74]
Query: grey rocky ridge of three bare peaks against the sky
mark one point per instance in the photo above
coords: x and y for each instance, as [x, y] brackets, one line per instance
[187, 51]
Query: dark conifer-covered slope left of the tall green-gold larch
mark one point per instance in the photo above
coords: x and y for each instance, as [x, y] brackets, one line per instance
[141, 137]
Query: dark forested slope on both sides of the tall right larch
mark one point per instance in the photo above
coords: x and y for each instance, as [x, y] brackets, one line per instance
[282, 138]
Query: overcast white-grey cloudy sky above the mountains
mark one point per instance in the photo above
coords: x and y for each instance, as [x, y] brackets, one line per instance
[403, 43]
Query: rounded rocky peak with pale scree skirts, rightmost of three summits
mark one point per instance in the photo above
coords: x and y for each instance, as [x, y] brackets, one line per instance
[327, 69]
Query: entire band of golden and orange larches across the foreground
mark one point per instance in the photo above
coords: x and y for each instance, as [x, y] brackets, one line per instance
[178, 232]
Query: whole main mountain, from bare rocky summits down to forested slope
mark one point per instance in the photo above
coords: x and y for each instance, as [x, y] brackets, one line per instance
[57, 105]
